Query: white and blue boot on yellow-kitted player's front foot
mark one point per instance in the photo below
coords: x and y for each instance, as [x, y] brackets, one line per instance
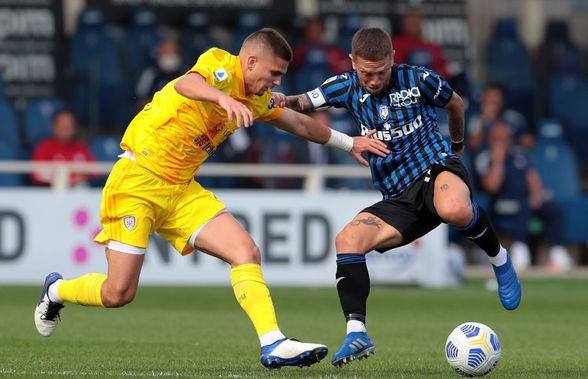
[290, 352]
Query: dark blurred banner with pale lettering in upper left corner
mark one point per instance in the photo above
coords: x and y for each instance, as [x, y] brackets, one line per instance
[31, 34]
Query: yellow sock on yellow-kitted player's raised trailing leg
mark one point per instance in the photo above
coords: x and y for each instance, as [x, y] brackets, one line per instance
[84, 290]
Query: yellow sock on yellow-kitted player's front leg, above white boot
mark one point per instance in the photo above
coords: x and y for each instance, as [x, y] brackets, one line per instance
[254, 297]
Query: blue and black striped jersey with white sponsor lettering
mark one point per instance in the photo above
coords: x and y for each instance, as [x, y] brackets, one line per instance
[404, 116]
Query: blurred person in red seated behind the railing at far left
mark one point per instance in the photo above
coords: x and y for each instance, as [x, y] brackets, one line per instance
[62, 146]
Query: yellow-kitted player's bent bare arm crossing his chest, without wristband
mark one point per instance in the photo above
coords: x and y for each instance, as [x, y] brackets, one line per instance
[195, 87]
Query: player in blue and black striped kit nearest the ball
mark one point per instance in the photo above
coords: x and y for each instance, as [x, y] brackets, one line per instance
[422, 180]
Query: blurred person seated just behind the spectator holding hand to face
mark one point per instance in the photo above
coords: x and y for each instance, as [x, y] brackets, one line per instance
[491, 112]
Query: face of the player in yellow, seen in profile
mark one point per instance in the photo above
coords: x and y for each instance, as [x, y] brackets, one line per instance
[265, 72]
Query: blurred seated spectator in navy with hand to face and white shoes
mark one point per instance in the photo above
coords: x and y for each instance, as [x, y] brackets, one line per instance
[504, 172]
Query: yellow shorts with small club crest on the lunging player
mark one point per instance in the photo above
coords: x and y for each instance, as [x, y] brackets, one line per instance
[136, 203]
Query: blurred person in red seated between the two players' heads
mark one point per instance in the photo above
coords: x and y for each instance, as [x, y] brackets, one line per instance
[314, 37]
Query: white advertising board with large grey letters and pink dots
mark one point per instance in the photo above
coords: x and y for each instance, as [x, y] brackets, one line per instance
[43, 231]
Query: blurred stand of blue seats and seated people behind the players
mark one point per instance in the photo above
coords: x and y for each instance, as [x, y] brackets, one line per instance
[526, 123]
